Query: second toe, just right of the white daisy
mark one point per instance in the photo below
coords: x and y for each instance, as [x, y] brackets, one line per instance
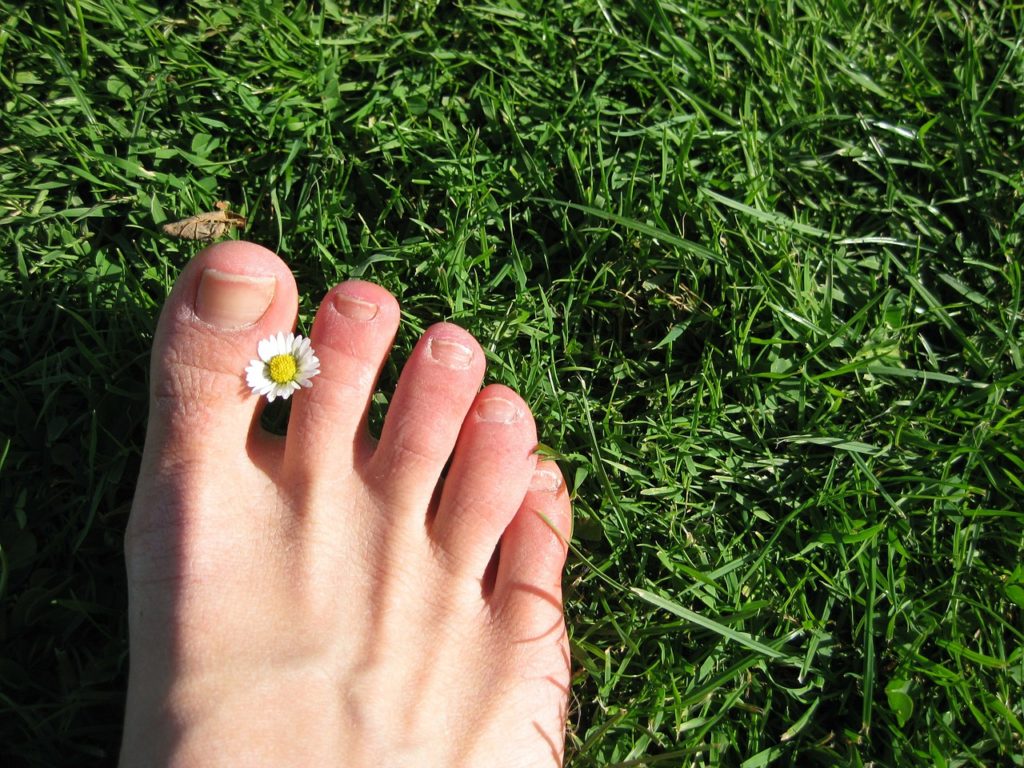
[352, 335]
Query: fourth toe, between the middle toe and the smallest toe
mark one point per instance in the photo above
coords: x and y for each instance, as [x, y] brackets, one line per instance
[491, 473]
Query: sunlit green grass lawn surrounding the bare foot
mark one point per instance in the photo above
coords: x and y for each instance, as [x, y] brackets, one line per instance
[759, 272]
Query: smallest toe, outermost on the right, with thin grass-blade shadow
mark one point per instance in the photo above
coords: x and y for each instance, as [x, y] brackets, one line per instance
[528, 585]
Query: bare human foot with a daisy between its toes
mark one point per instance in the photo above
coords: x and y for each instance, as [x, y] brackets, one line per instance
[323, 600]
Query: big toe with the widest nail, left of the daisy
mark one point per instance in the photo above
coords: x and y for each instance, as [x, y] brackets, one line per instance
[232, 295]
